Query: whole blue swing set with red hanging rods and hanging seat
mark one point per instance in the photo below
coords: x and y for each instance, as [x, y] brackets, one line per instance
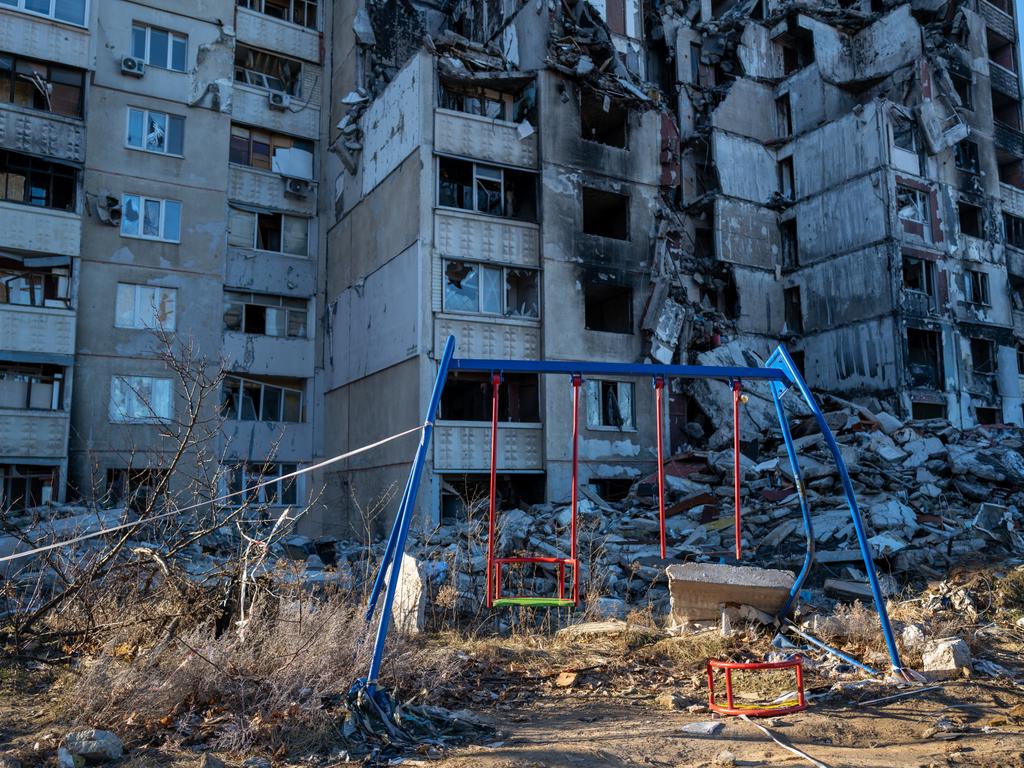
[782, 376]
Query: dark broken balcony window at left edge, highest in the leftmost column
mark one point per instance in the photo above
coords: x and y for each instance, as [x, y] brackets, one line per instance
[39, 86]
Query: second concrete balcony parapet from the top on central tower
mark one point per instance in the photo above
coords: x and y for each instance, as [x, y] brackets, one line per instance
[486, 238]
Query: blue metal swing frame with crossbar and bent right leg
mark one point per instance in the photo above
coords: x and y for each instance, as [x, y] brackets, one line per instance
[782, 375]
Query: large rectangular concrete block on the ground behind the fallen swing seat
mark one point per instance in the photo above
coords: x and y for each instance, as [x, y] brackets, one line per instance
[697, 590]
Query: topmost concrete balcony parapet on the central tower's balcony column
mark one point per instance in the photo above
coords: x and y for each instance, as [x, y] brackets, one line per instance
[484, 139]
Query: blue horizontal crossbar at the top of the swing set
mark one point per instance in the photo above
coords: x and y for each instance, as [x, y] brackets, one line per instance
[618, 369]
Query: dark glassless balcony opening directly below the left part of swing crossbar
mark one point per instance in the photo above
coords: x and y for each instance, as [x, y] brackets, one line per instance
[467, 397]
